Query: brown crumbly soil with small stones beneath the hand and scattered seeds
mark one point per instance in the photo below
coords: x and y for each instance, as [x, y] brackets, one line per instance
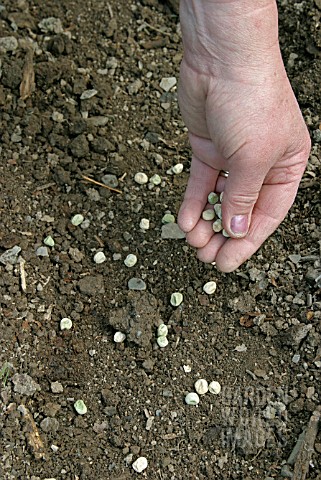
[81, 96]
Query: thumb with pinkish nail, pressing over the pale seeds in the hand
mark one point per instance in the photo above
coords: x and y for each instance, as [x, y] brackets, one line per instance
[241, 191]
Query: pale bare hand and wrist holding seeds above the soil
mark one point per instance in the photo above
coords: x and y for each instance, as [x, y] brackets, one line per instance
[242, 116]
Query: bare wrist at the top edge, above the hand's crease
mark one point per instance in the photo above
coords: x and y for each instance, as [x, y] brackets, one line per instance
[221, 35]
